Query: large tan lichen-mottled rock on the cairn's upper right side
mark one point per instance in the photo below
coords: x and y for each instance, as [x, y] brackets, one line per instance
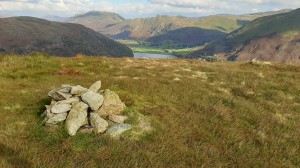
[111, 105]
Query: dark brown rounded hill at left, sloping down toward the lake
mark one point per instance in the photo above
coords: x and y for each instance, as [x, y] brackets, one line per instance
[24, 35]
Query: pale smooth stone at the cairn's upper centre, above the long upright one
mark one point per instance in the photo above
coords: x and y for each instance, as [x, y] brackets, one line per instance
[94, 100]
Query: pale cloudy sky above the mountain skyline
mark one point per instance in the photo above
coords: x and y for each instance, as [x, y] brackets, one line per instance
[142, 8]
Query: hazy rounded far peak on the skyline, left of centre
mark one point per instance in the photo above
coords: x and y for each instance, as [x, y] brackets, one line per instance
[96, 20]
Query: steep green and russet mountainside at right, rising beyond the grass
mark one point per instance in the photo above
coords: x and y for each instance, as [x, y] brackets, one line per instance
[270, 38]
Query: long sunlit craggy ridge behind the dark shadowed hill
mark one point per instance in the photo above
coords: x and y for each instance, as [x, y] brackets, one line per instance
[145, 28]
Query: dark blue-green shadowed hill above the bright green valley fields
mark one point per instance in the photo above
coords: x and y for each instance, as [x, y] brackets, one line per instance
[186, 37]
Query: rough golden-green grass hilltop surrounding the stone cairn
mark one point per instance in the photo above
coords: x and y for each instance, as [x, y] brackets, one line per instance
[203, 114]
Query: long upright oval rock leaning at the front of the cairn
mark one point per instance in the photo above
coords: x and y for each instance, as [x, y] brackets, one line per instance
[76, 118]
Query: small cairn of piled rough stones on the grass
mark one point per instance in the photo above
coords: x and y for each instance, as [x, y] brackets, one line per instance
[86, 110]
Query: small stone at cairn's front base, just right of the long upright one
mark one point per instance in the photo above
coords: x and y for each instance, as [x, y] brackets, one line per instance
[100, 125]
